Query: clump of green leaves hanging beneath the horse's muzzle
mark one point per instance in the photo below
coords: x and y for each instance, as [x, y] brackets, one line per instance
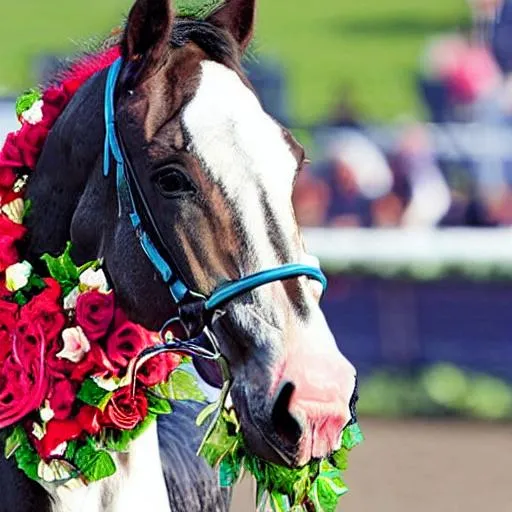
[319, 484]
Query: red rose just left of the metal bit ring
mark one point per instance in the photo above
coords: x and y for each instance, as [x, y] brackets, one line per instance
[126, 343]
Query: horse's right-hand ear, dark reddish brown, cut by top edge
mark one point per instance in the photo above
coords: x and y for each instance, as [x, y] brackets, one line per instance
[236, 16]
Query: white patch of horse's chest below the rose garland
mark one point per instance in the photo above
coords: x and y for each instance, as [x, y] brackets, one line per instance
[138, 483]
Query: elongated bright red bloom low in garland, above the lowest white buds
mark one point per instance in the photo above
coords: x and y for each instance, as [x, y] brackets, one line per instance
[60, 431]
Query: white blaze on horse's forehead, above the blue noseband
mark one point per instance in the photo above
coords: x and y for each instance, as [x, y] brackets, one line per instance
[243, 150]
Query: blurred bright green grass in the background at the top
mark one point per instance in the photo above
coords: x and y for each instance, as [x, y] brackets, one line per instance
[371, 45]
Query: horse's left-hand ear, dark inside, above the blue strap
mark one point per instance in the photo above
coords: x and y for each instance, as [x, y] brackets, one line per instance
[148, 31]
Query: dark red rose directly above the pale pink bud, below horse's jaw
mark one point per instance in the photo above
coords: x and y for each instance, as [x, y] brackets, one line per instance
[94, 313]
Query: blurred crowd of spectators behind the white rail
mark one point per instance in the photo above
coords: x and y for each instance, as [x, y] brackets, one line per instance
[463, 78]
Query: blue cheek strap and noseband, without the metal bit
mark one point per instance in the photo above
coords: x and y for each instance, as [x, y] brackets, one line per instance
[180, 292]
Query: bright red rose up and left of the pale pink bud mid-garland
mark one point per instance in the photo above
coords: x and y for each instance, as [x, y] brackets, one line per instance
[45, 310]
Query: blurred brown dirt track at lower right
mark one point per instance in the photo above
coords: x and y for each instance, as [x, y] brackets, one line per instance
[418, 466]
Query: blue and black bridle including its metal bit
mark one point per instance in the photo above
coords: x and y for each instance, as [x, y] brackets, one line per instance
[196, 312]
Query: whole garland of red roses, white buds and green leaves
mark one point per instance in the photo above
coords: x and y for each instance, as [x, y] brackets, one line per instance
[66, 348]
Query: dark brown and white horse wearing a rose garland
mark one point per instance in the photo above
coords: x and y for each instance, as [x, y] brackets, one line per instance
[217, 173]
